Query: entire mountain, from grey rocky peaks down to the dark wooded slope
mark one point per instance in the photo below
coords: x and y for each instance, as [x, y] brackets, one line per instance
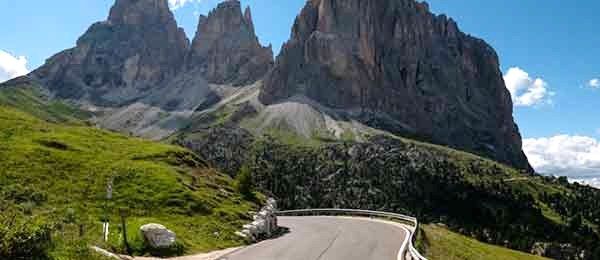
[321, 126]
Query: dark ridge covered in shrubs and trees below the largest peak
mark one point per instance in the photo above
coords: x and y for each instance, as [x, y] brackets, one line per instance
[474, 196]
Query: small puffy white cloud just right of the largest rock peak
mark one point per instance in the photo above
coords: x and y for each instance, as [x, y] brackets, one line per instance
[526, 91]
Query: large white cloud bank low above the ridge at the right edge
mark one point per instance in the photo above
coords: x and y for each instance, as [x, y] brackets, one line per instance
[577, 157]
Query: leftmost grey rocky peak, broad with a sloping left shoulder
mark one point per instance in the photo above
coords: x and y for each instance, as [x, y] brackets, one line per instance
[117, 61]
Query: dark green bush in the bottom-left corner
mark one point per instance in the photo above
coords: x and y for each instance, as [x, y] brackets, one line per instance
[23, 237]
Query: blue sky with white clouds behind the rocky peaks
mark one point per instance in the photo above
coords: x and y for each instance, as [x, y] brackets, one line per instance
[554, 45]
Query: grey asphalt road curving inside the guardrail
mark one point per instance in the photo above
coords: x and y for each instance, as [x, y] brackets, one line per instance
[328, 238]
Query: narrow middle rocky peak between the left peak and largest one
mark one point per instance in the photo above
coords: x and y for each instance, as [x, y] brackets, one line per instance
[226, 50]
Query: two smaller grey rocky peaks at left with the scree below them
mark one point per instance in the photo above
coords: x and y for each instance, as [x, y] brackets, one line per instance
[140, 73]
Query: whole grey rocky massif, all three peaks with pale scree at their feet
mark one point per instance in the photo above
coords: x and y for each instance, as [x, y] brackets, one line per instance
[350, 67]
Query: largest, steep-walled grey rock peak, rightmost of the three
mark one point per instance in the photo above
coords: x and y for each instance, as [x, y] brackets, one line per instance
[396, 66]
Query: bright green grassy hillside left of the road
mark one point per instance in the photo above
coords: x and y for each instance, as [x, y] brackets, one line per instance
[59, 173]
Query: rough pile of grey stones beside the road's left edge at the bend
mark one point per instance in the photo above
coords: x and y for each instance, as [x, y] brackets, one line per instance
[264, 224]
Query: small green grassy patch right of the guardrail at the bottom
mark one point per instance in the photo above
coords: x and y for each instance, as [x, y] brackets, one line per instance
[441, 243]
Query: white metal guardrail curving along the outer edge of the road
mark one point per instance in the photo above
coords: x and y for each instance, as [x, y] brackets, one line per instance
[414, 253]
